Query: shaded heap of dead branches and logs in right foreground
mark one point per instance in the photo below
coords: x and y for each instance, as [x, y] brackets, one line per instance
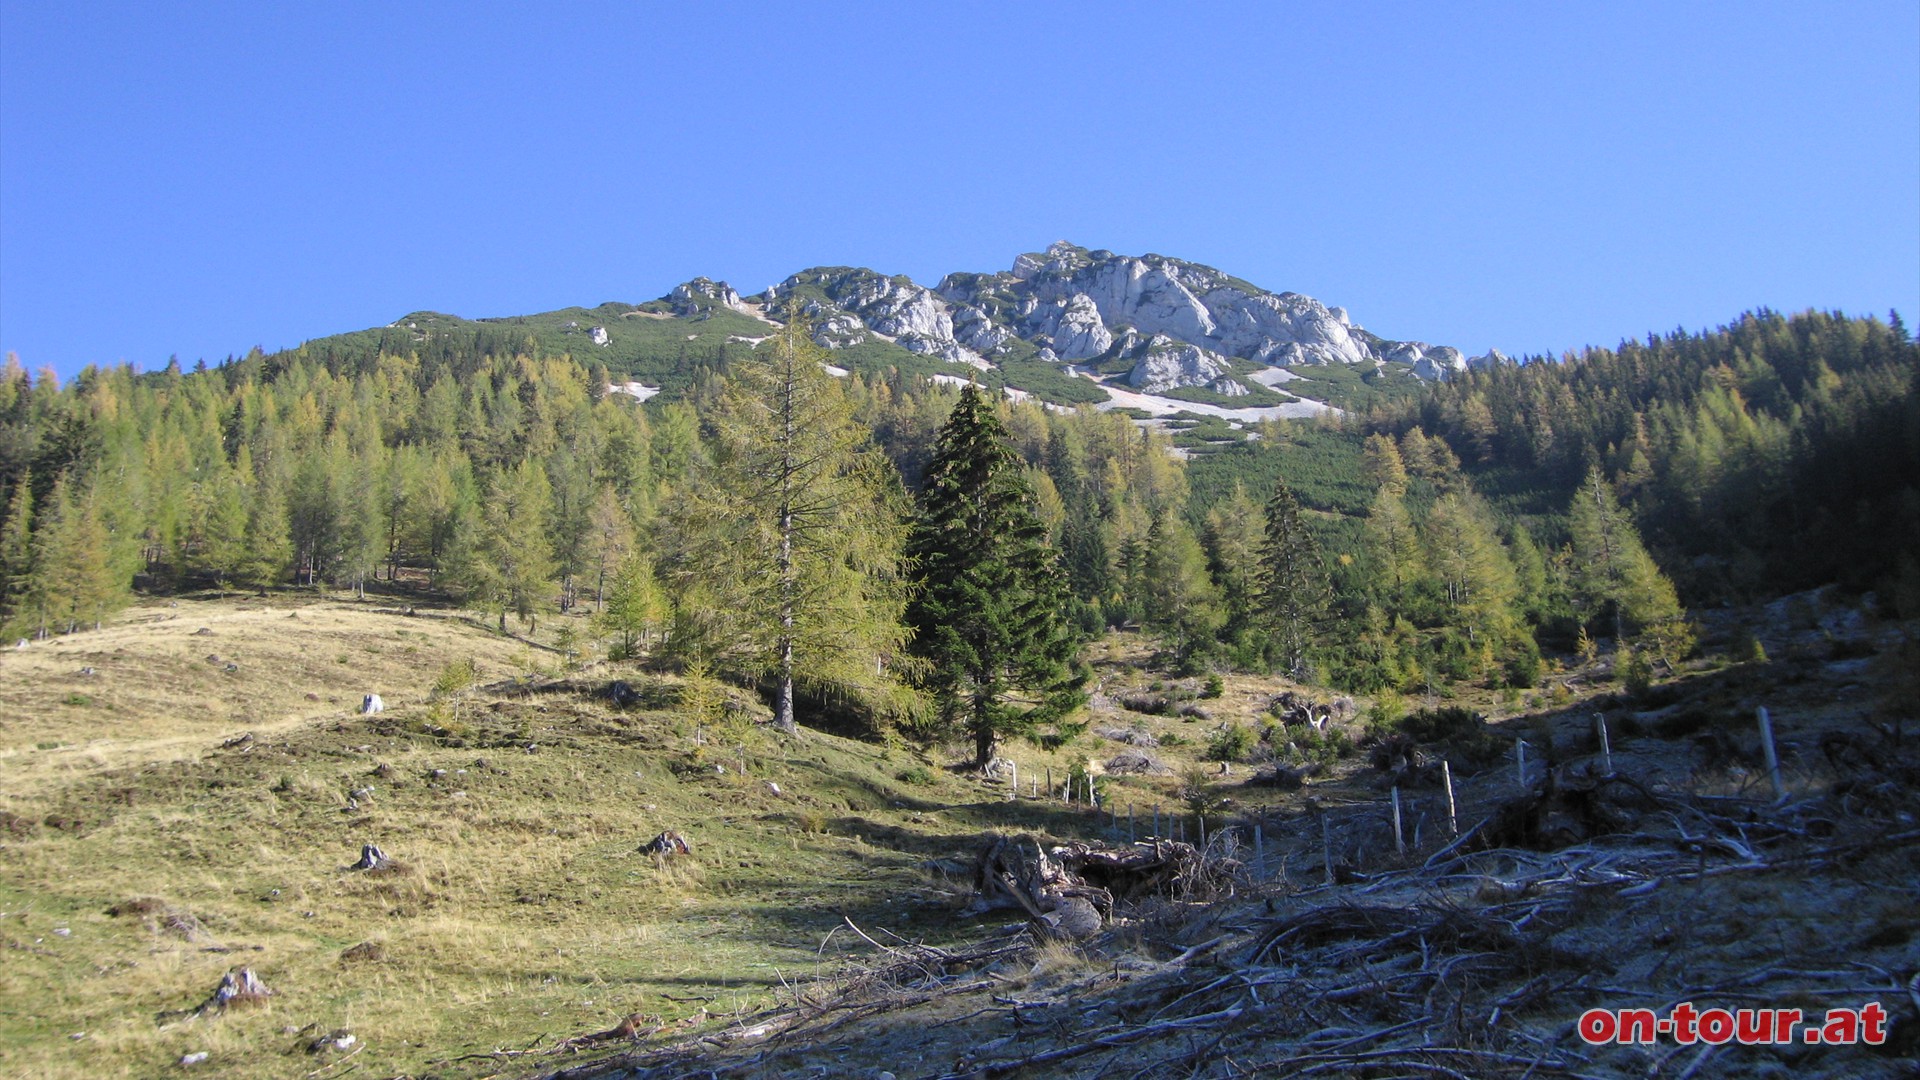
[1472, 960]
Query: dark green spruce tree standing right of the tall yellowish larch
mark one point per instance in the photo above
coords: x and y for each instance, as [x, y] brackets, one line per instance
[990, 602]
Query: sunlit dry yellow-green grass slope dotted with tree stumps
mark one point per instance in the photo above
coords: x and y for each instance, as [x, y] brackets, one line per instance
[523, 908]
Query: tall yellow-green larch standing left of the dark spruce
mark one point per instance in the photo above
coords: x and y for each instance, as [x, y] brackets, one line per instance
[798, 526]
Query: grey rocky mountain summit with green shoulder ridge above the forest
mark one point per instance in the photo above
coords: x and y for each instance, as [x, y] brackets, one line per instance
[1068, 326]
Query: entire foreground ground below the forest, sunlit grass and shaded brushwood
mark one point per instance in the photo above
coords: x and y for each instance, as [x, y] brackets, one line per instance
[149, 848]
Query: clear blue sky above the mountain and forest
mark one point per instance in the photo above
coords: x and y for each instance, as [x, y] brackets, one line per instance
[203, 178]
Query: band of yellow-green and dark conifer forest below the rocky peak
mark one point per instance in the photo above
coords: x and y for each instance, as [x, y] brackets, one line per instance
[777, 526]
